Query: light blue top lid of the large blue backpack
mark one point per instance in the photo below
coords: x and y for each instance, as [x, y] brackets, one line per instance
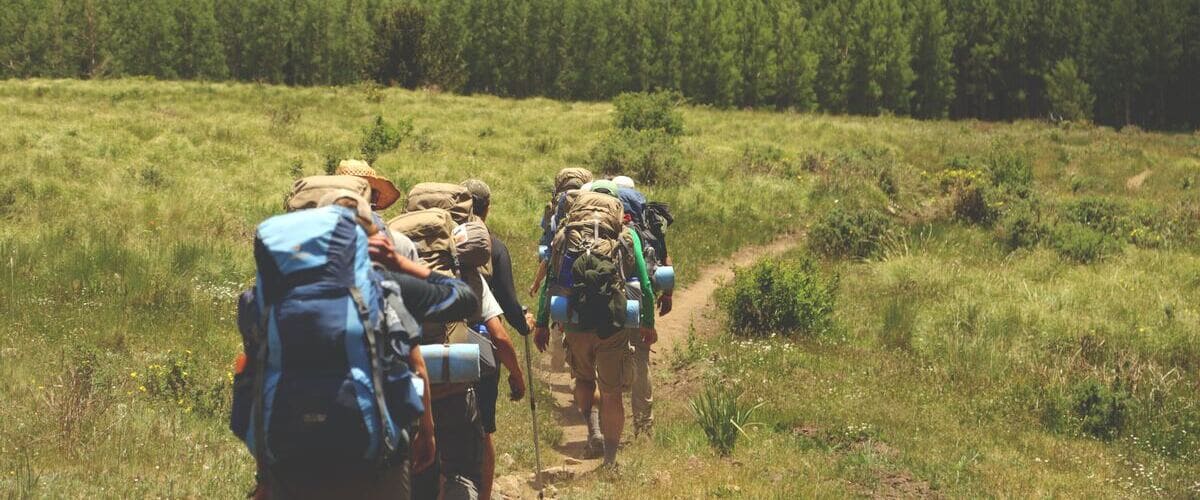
[323, 248]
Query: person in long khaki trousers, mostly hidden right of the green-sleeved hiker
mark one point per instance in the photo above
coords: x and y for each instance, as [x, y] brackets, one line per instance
[638, 213]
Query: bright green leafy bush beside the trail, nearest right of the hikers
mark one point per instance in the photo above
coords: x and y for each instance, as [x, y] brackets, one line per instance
[781, 297]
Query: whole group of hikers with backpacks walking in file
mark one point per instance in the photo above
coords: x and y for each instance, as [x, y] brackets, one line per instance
[373, 350]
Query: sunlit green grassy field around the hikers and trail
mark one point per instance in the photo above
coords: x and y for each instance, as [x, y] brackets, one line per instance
[956, 365]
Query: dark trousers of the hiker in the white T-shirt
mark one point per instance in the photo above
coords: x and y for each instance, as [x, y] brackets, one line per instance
[460, 459]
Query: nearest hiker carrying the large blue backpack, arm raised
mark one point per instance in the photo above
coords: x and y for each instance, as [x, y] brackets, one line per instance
[301, 344]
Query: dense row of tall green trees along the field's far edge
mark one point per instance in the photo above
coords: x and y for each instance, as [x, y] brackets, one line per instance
[1114, 62]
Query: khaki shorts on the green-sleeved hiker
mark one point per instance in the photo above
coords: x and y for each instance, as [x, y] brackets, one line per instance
[609, 362]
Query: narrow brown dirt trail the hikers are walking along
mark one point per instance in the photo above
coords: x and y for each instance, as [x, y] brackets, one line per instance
[691, 304]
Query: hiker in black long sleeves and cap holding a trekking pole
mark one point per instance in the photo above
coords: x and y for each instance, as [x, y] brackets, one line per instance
[505, 291]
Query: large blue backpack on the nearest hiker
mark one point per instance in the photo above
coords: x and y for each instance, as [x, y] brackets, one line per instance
[326, 382]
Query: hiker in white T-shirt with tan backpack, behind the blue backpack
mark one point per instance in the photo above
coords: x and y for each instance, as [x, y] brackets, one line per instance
[441, 220]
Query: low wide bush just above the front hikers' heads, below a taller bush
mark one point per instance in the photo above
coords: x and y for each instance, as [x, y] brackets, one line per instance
[651, 156]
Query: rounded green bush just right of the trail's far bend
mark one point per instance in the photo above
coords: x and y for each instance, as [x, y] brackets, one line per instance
[857, 234]
